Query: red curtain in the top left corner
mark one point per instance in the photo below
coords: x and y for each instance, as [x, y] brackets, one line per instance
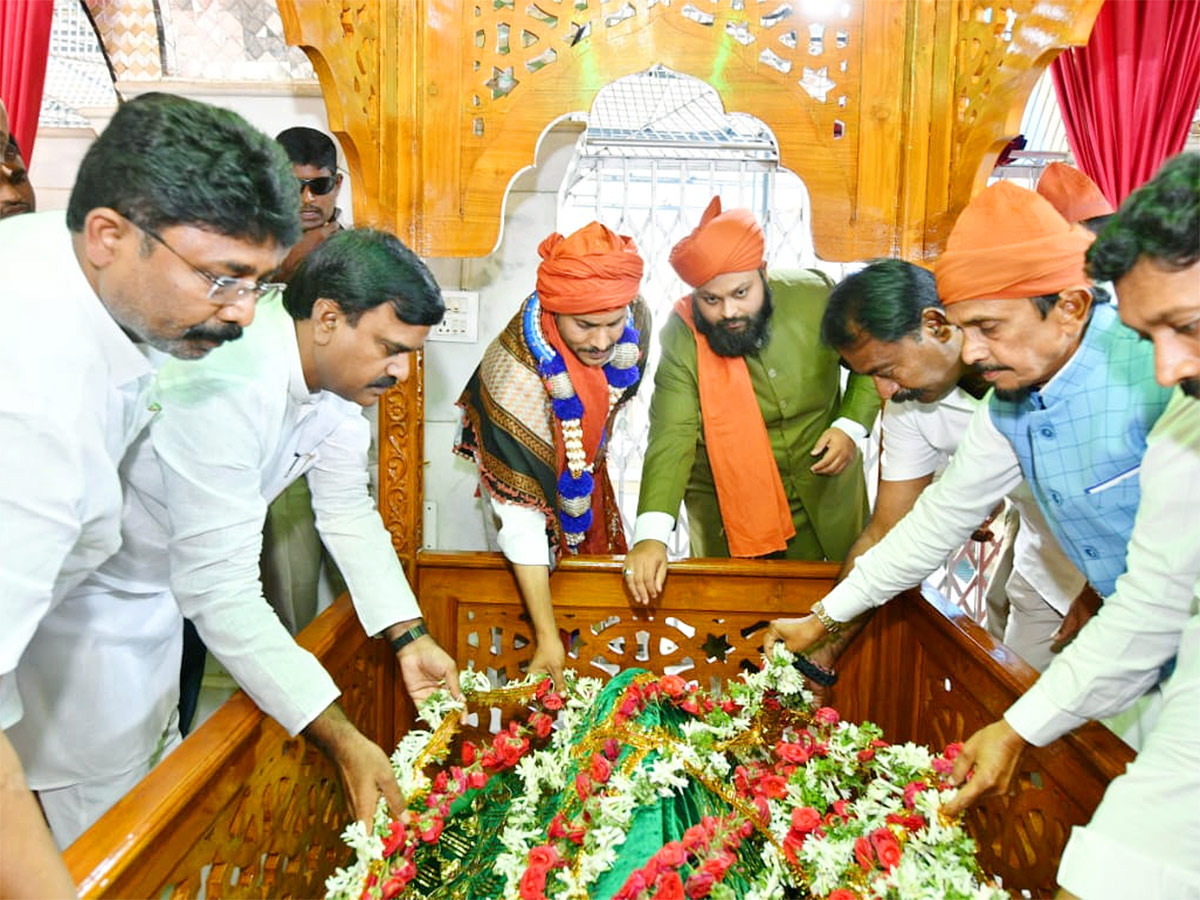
[25, 49]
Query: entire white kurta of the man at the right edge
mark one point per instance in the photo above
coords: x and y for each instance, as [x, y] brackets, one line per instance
[1144, 839]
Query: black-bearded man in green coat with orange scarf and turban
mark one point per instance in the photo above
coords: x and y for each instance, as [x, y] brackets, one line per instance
[745, 398]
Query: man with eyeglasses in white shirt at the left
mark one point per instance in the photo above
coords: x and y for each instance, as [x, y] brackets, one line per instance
[152, 255]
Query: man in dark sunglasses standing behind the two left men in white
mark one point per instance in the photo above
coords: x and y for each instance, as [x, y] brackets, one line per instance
[315, 164]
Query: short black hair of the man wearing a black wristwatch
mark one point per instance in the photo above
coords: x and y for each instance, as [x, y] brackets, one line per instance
[361, 269]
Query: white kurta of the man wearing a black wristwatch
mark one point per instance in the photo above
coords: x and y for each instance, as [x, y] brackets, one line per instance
[236, 430]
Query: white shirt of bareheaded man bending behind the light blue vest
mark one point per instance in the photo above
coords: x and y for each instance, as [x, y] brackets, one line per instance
[921, 439]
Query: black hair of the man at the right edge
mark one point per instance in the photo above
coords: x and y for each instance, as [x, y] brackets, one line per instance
[1161, 220]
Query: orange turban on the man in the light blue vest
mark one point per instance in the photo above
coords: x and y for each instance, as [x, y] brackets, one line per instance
[1011, 244]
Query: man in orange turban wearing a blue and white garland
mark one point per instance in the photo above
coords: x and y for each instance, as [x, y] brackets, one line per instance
[539, 409]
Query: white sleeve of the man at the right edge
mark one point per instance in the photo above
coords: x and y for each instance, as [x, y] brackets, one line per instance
[1118, 656]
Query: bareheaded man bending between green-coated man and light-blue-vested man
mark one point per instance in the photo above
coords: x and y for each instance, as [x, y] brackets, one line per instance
[887, 323]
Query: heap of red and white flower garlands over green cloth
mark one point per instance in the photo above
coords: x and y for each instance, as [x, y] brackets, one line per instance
[787, 801]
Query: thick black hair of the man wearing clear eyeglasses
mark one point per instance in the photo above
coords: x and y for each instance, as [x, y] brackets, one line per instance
[166, 160]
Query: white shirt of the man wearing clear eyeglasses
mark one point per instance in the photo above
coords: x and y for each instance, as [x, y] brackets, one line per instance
[74, 394]
